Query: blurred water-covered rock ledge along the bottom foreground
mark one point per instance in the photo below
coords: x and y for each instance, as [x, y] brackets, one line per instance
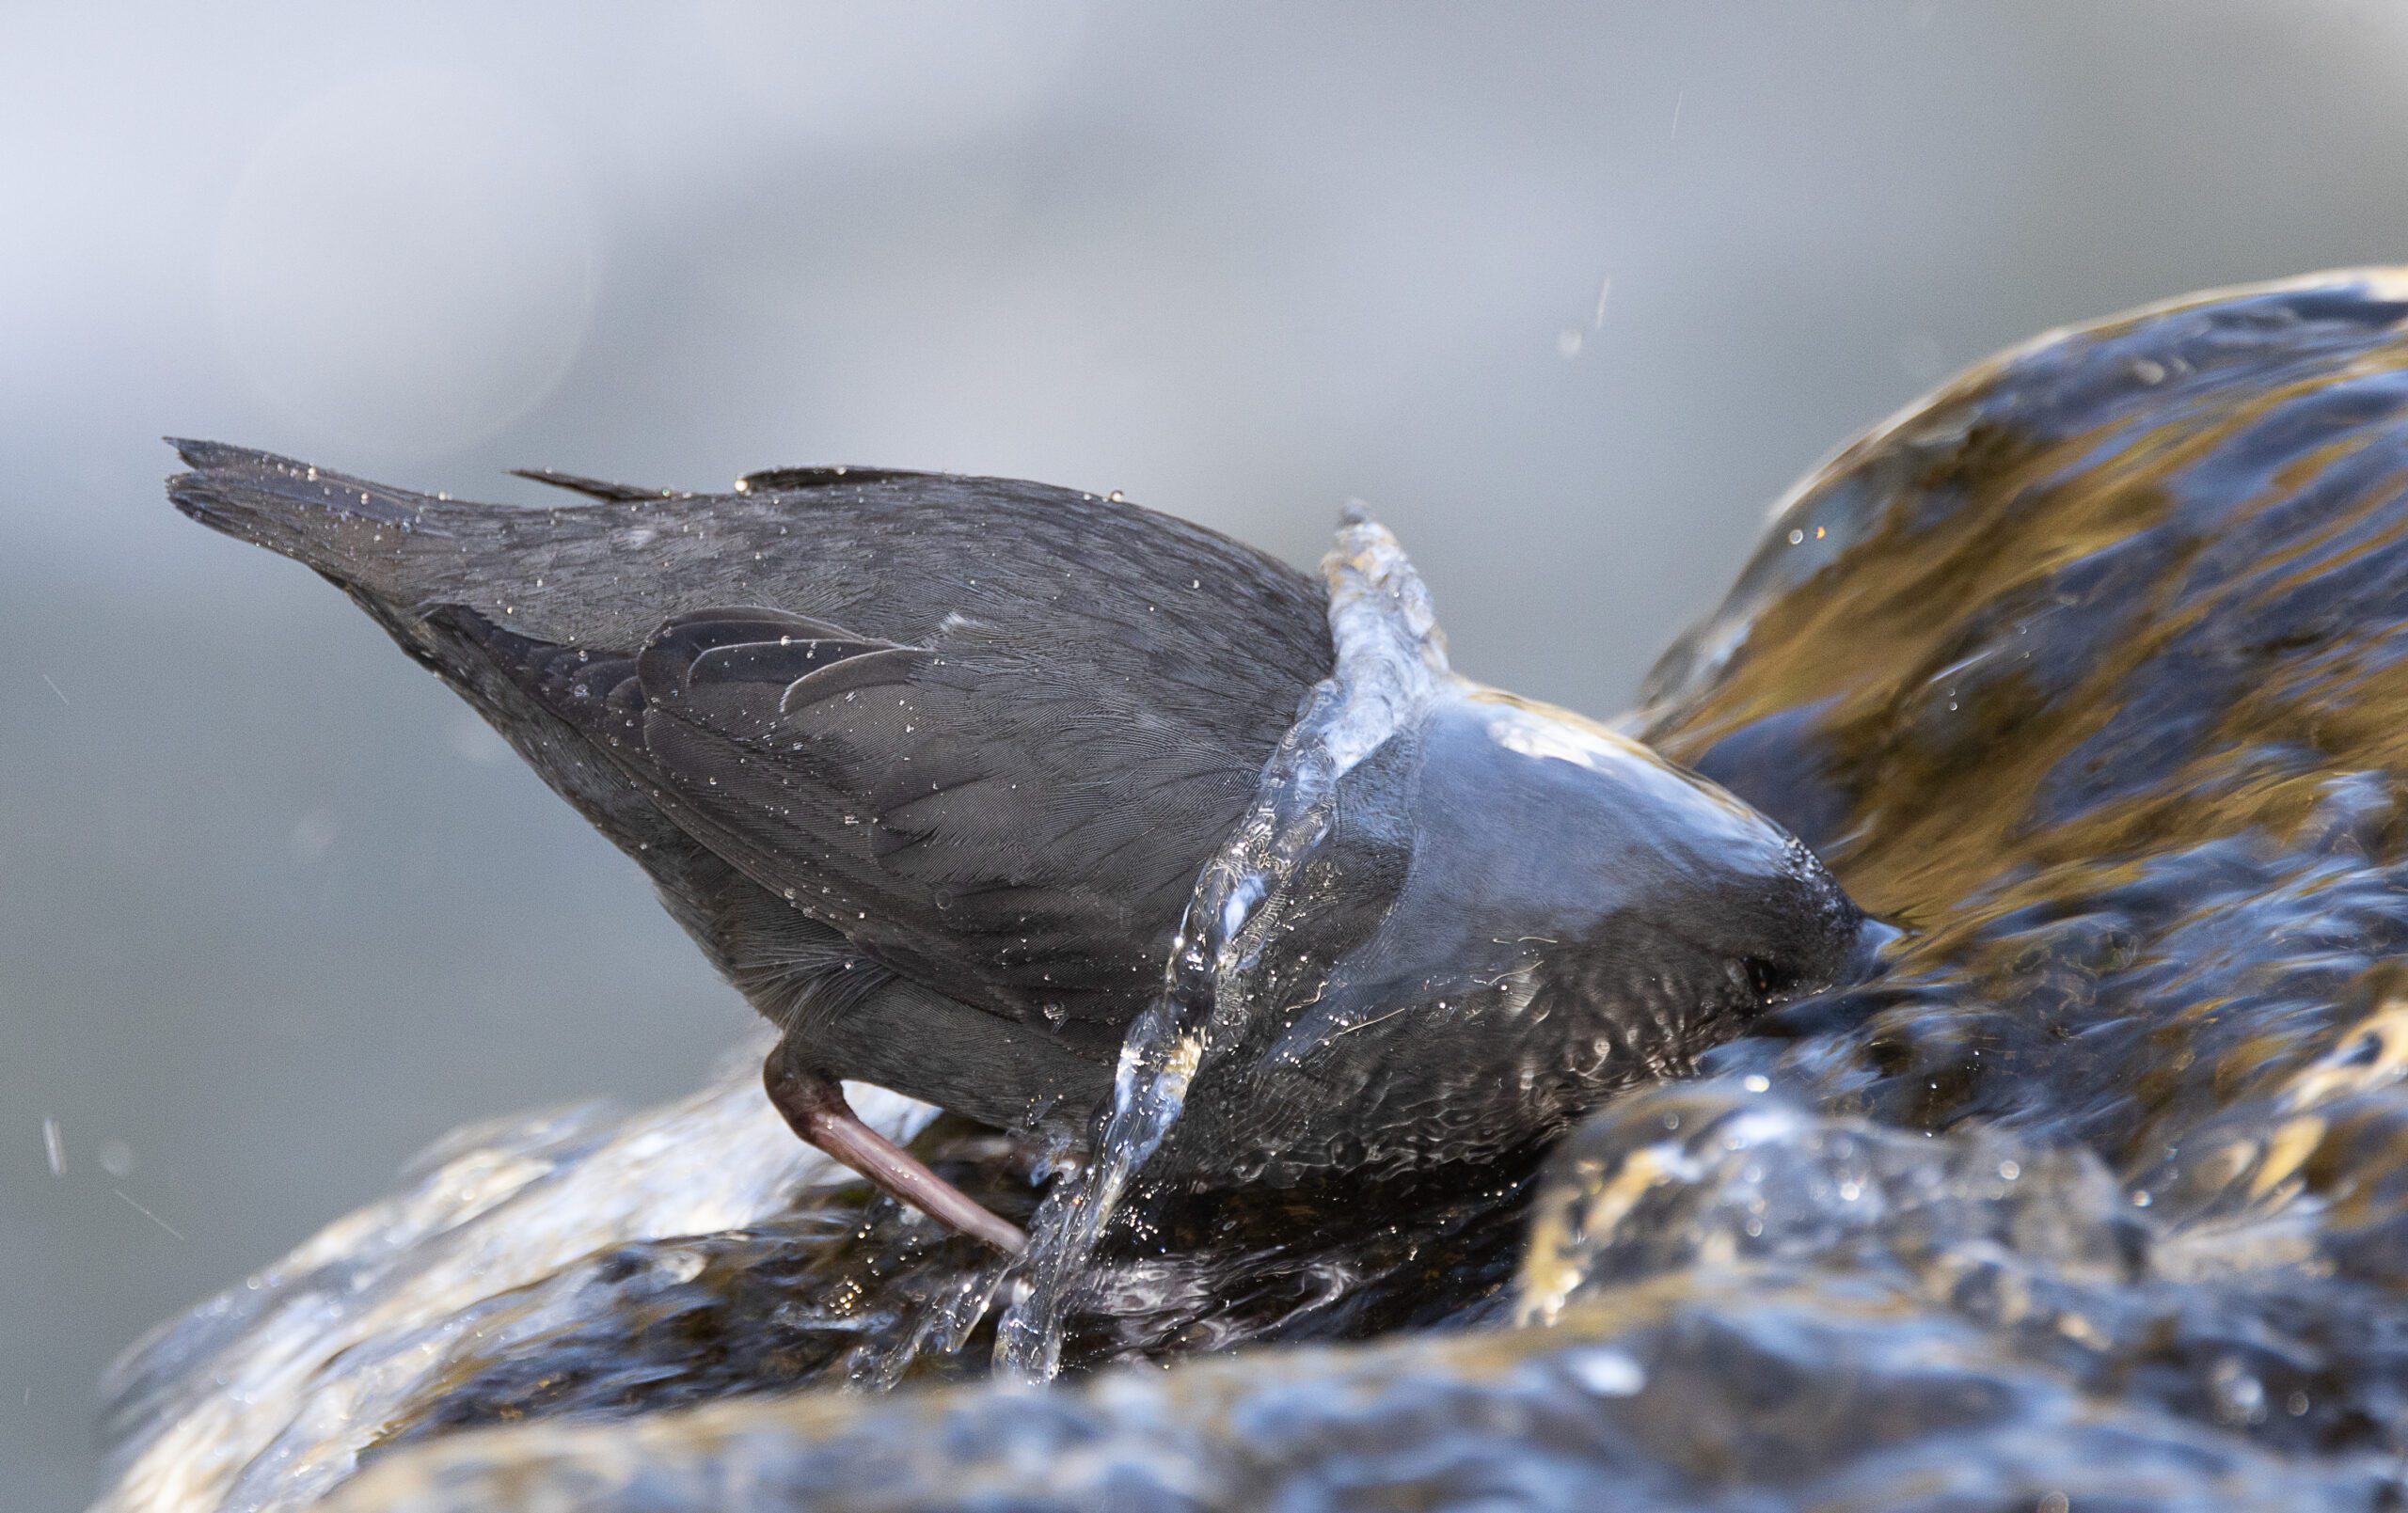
[1641, 1401]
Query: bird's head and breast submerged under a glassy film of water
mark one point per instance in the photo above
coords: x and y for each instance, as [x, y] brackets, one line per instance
[1513, 915]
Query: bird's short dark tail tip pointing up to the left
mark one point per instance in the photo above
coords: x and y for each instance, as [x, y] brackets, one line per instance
[362, 535]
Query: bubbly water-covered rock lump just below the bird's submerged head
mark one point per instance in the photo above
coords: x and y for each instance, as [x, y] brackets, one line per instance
[1733, 1194]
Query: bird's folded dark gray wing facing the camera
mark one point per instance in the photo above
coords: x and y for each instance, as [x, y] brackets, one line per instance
[1015, 826]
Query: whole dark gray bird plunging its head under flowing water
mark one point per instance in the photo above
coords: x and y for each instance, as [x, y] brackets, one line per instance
[928, 769]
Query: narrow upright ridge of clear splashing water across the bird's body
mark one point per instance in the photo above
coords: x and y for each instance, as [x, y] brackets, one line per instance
[1391, 667]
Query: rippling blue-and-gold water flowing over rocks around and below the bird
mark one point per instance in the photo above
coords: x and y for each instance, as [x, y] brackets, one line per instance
[2089, 672]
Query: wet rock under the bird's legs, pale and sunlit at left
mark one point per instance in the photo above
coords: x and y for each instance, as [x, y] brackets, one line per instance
[606, 1269]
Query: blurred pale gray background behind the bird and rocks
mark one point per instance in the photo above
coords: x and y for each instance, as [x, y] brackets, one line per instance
[1564, 292]
